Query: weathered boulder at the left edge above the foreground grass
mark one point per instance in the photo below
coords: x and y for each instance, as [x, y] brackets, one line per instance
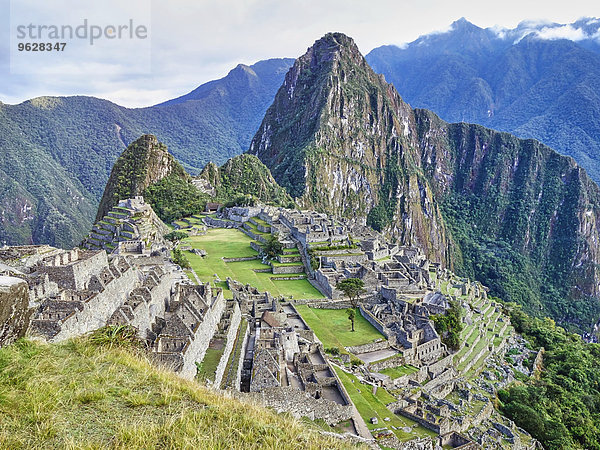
[14, 309]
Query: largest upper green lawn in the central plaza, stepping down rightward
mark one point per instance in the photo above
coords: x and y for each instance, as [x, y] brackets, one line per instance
[230, 243]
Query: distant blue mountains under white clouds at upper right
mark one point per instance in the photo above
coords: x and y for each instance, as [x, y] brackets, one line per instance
[536, 80]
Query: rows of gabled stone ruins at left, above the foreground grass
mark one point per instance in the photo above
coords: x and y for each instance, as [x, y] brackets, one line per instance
[71, 293]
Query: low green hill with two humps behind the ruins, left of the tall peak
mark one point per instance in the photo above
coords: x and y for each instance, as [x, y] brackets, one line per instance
[146, 168]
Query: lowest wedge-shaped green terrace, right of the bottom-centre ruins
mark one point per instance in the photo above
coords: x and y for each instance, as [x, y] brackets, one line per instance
[370, 405]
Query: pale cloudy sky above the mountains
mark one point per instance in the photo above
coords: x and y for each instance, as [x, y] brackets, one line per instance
[190, 42]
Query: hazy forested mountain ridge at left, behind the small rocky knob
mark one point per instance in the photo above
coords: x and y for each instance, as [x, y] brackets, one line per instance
[58, 151]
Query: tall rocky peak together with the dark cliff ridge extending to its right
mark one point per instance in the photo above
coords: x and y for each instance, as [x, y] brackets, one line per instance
[511, 213]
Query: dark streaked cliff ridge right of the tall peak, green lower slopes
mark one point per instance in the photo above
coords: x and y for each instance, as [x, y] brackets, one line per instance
[525, 220]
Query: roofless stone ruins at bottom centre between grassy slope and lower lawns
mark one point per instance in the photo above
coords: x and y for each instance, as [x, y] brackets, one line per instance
[284, 365]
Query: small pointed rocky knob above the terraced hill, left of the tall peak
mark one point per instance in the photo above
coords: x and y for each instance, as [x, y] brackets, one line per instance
[144, 163]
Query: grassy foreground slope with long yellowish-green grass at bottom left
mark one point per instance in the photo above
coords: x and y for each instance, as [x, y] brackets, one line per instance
[82, 395]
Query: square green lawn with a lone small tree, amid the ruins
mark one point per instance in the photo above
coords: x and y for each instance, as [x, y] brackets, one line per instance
[333, 328]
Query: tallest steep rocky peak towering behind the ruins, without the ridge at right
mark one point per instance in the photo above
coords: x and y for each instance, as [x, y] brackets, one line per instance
[340, 139]
